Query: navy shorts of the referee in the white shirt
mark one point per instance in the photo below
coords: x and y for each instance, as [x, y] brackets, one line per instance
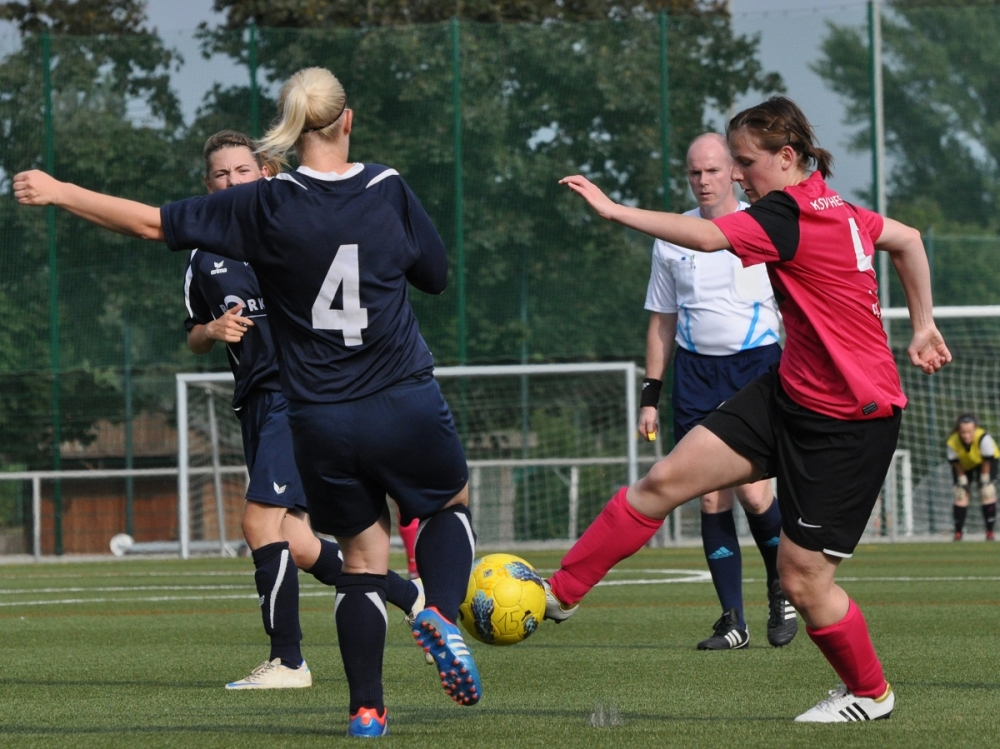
[702, 383]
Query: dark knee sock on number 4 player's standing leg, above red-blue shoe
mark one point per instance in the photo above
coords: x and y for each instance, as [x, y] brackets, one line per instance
[361, 623]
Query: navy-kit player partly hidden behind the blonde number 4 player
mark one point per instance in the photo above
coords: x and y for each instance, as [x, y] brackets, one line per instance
[224, 305]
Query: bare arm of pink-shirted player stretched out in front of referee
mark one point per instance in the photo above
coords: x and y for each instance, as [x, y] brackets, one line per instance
[688, 231]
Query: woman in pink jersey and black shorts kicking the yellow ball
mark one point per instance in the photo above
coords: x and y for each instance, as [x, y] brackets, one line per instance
[824, 422]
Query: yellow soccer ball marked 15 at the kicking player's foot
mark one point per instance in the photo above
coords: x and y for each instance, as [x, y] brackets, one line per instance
[505, 600]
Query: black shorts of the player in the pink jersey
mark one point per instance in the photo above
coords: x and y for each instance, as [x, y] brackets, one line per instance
[830, 471]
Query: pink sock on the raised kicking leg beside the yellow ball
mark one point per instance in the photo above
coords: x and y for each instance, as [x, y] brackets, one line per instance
[618, 532]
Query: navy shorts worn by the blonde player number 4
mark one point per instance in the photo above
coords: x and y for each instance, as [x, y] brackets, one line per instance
[400, 441]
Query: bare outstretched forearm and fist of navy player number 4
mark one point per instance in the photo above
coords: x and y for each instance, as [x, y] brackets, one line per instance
[117, 214]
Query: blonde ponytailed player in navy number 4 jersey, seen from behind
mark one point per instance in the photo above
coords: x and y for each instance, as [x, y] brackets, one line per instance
[335, 245]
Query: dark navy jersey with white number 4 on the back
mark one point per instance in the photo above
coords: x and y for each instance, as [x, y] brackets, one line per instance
[333, 254]
